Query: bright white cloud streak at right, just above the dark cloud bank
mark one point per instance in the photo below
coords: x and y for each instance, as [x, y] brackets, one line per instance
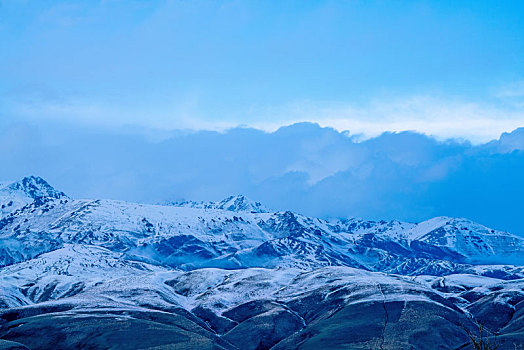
[440, 117]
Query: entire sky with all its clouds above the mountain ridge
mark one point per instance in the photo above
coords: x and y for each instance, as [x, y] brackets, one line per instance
[375, 109]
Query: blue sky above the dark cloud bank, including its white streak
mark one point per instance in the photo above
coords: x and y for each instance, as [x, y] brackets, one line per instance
[444, 68]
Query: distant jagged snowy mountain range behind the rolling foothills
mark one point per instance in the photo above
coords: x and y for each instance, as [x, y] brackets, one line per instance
[234, 235]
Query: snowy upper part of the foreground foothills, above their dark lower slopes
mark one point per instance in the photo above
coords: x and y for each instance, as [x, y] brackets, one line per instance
[93, 273]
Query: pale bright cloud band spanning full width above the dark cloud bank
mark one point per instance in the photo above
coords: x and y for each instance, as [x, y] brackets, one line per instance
[440, 117]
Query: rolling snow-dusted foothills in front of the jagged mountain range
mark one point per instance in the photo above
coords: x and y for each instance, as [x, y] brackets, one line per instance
[247, 304]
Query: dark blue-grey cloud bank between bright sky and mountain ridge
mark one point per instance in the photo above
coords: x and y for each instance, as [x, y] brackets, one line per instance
[303, 167]
